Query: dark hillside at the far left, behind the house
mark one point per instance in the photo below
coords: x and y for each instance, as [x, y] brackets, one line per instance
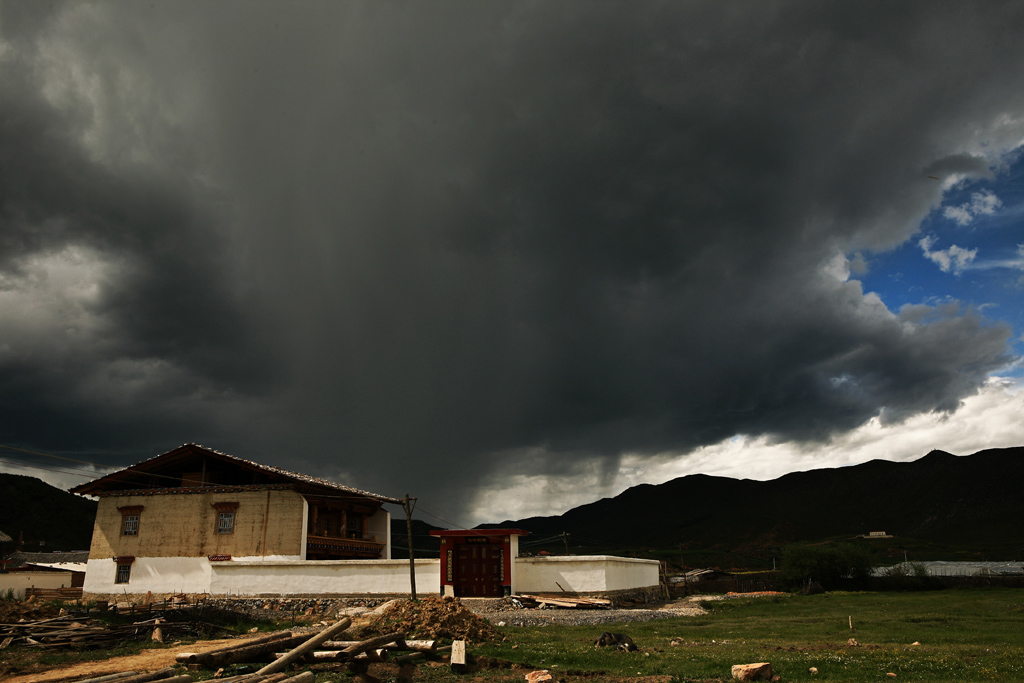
[45, 517]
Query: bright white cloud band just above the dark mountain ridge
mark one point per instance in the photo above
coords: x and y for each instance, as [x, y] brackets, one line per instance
[989, 420]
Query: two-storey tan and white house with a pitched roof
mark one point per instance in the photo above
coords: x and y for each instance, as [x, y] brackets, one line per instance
[164, 524]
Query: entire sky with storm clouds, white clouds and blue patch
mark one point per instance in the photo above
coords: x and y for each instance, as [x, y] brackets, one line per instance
[510, 258]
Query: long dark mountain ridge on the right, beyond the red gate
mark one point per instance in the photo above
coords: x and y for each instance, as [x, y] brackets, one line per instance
[972, 502]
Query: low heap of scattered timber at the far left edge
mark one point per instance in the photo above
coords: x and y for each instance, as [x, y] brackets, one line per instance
[63, 632]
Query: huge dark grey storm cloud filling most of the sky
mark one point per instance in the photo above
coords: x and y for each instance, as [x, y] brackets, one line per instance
[586, 229]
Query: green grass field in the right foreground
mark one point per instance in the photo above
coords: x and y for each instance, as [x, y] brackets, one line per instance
[974, 635]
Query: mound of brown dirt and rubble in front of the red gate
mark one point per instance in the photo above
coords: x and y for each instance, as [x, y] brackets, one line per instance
[433, 617]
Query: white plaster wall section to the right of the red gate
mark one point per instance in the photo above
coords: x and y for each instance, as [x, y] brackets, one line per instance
[580, 574]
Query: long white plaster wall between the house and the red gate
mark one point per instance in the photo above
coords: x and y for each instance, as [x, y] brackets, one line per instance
[324, 578]
